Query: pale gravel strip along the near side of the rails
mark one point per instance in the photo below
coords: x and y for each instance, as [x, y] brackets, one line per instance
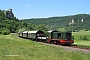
[67, 48]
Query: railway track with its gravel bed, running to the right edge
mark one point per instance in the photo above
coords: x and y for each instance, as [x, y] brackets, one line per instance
[70, 48]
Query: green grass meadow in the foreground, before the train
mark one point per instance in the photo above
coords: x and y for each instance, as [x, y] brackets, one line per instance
[31, 50]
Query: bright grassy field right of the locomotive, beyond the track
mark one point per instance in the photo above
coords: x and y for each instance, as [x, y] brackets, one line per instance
[78, 38]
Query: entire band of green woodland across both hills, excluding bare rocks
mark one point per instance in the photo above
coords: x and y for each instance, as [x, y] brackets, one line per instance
[12, 25]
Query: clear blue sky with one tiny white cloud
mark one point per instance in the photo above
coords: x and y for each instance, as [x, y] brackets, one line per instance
[24, 9]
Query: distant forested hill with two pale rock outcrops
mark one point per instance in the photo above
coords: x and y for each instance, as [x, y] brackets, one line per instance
[73, 22]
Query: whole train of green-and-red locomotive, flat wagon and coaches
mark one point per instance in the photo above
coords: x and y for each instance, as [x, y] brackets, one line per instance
[54, 37]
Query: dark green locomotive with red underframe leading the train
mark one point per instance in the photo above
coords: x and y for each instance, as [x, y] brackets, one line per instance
[60, 37]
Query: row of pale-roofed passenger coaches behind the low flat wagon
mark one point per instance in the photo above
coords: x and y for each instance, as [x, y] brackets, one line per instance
[34, 35]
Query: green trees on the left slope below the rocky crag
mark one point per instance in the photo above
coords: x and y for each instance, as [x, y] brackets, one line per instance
[12, 24]
